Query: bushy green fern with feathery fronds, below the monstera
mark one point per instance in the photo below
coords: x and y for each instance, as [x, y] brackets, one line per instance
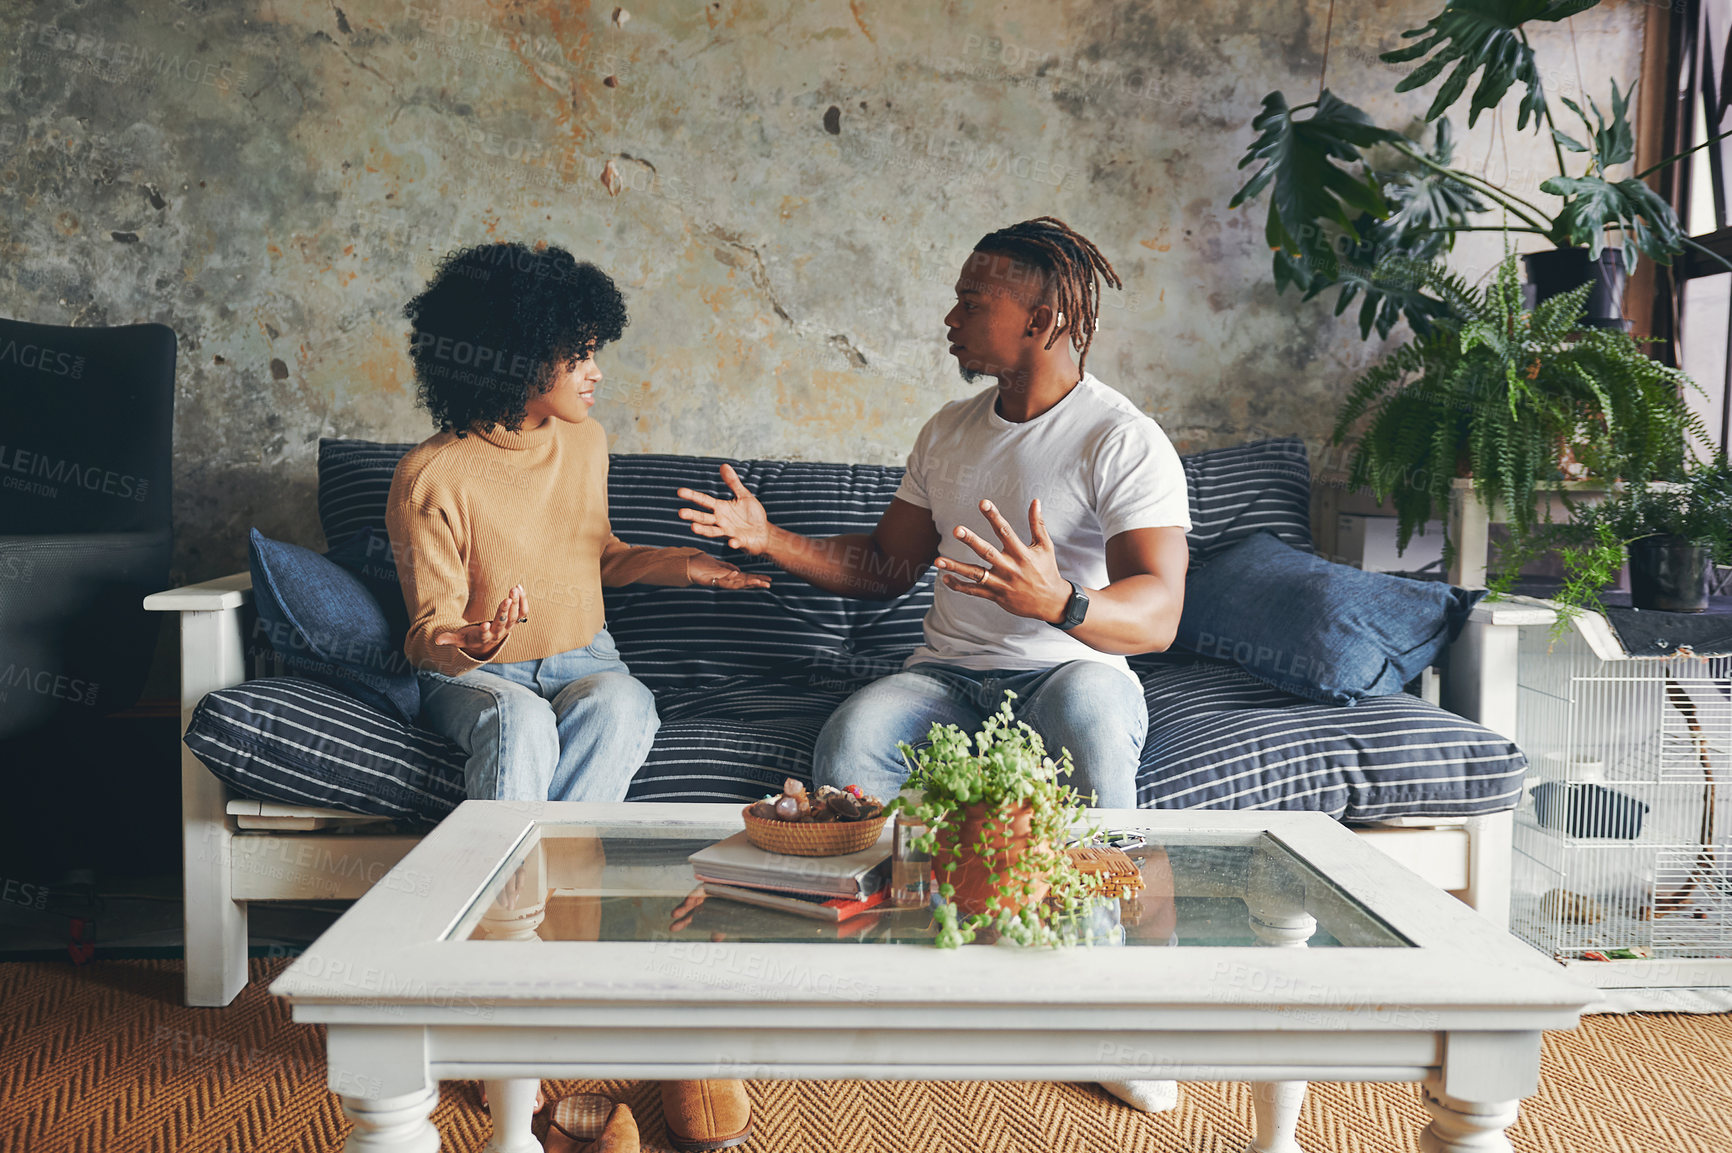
[1501, 392]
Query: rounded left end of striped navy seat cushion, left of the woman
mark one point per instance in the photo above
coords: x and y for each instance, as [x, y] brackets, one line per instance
[297, 742]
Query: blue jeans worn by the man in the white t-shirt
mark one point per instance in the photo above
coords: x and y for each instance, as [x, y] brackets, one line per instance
[1087, 707]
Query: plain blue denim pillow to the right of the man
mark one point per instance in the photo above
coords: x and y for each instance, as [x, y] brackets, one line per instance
[1317, 629]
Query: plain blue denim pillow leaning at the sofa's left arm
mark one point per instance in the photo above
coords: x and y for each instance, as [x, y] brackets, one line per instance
[328, 628]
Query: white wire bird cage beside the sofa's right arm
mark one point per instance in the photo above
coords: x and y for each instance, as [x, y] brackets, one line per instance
[1624, 837]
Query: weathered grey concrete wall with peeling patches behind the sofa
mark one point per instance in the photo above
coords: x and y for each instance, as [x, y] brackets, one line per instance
[801, 184]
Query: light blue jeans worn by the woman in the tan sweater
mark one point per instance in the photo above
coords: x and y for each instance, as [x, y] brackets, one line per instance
[574, 726]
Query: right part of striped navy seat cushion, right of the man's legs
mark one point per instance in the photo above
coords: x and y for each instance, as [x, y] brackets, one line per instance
[1218, 738]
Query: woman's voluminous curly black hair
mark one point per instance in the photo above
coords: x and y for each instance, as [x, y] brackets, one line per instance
[498, 323]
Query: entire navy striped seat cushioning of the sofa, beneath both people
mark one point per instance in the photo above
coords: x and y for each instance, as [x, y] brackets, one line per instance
[1217, 740]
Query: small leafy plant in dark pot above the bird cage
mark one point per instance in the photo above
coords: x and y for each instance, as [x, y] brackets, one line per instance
[1672, 532]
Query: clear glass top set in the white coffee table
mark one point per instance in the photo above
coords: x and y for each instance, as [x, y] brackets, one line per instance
[631, 882]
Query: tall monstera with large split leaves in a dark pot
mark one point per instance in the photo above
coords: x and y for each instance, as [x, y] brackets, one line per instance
[1336, 219]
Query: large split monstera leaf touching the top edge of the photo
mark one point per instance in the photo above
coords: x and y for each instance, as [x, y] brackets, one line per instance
[1482, 37]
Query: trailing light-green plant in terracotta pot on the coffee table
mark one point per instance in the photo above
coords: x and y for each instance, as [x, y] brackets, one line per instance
[997, 818]
